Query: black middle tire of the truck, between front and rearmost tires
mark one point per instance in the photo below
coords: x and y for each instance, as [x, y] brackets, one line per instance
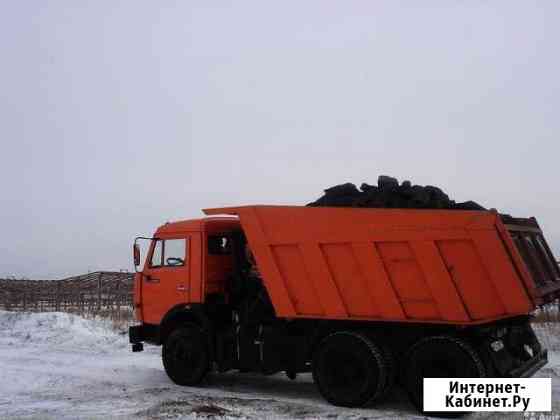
[349, 369]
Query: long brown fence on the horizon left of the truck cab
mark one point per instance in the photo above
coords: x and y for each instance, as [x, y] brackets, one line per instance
[104, 293]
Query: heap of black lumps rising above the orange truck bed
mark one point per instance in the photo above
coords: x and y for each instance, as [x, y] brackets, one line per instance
[388, 193]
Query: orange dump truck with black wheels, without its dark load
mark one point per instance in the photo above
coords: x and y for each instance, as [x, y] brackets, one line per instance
[361, 298]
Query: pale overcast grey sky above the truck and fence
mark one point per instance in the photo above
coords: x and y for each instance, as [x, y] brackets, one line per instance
[116, 116]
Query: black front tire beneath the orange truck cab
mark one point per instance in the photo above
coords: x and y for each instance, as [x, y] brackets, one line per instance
[185, 355]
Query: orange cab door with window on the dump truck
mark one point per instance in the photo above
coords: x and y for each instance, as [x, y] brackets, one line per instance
[165, 278]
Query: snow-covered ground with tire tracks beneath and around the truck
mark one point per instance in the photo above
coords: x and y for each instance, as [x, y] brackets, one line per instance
[60, 366]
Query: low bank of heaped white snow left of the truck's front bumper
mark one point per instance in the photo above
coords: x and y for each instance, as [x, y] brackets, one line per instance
[58, 329]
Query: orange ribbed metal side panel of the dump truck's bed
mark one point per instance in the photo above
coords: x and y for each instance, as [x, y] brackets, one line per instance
[384, 264]
